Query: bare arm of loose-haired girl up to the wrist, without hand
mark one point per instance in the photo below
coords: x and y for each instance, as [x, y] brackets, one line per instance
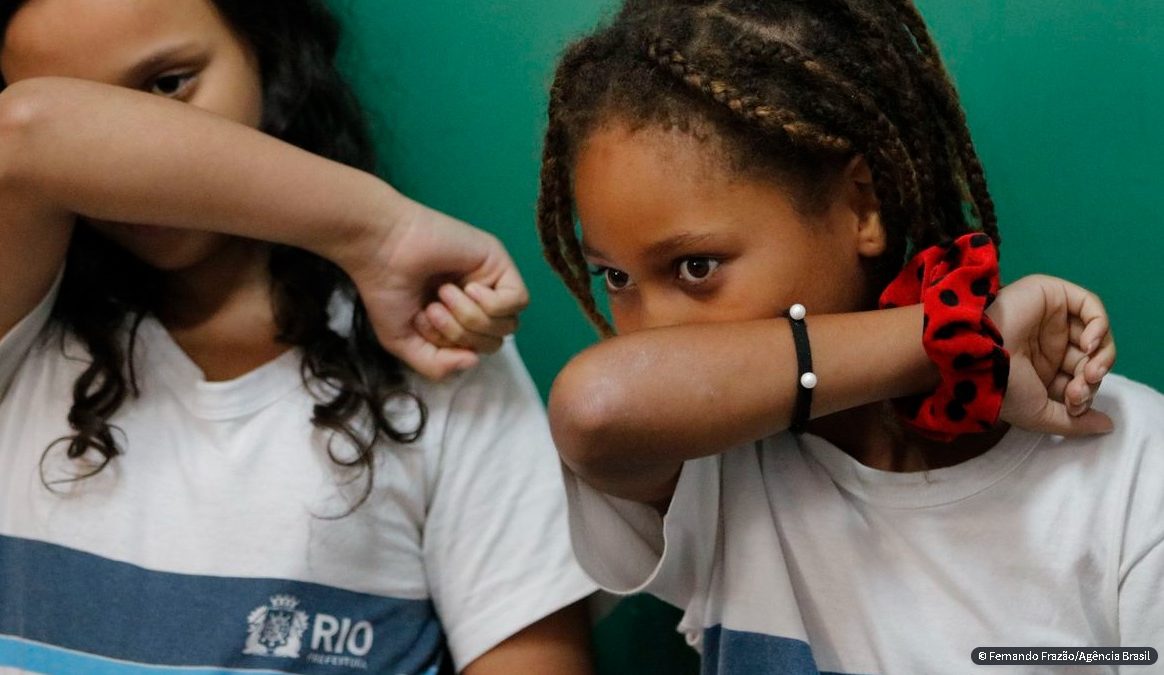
[72, 147]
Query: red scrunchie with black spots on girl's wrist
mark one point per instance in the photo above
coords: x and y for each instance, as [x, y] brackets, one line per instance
[956, 283]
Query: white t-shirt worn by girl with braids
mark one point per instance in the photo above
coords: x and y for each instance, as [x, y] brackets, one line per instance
[791, 557]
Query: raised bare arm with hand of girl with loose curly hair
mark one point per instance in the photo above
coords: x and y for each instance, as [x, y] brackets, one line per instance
[72, 147]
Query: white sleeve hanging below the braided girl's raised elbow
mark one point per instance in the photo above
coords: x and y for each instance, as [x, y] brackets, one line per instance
[628, 548]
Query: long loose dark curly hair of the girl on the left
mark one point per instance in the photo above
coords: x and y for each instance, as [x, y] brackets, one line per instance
[306, 103]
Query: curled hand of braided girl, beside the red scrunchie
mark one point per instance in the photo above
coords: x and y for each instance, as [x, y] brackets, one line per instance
[1061, 349]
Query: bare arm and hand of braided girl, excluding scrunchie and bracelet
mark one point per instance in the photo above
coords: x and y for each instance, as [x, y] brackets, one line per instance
[628, 413]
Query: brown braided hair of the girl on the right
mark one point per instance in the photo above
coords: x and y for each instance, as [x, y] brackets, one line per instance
[791, 90]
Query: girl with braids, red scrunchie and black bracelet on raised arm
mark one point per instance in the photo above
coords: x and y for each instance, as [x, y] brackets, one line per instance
[722, 166]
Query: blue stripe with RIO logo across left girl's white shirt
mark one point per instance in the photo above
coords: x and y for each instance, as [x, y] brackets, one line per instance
[87, 605]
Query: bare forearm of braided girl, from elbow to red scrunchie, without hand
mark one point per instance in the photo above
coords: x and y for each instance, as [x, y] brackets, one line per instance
[629, 411]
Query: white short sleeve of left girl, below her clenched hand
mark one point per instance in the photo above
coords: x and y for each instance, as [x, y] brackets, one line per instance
[496, 549]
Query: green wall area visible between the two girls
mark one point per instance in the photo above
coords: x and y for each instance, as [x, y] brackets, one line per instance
[458, 90]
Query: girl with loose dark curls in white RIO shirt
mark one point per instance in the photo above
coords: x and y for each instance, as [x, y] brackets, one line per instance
[223, 446]
